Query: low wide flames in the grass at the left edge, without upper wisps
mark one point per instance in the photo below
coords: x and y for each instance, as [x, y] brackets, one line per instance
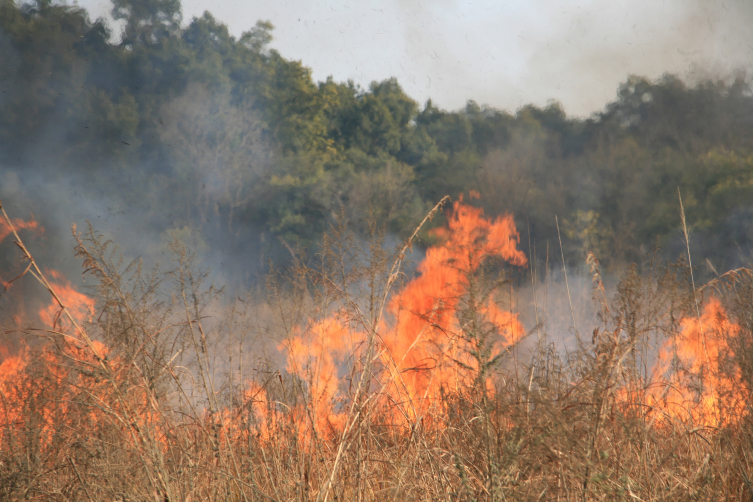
[41, 391]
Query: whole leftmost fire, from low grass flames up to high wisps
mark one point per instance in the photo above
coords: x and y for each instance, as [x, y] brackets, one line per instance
[50, 388]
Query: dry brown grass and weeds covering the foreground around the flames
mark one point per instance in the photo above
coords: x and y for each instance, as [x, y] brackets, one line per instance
[172, 406]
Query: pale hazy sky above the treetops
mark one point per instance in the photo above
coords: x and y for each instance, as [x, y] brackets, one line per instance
[500, 53]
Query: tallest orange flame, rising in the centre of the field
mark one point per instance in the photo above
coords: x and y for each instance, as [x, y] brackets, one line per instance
[427, 339]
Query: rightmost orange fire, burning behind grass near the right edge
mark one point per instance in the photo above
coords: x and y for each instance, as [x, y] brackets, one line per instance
[694, 382]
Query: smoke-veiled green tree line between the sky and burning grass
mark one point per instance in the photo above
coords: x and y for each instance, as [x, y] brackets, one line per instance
[229, 137]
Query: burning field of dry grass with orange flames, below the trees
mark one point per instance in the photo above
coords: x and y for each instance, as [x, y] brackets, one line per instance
[355, 380]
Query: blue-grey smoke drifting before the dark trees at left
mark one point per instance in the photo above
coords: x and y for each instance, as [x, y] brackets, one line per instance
[210, 154]
